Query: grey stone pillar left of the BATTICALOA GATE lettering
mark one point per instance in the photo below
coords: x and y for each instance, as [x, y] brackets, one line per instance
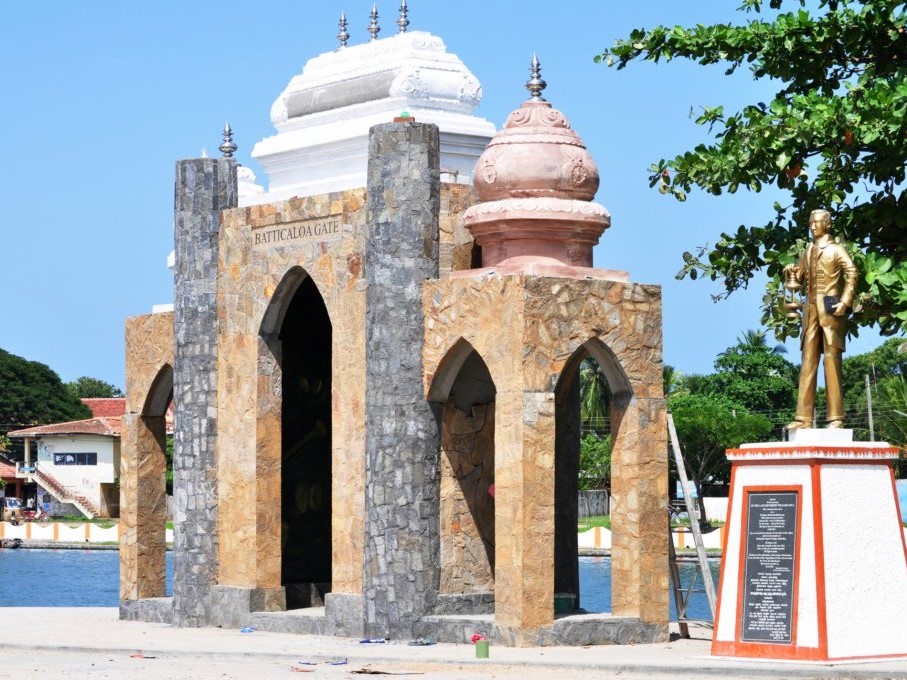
[204, 187]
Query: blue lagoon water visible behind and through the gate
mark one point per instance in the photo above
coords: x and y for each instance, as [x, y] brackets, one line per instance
[90, 578]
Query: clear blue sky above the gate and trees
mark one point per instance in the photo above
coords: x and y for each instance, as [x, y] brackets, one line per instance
[101, 98]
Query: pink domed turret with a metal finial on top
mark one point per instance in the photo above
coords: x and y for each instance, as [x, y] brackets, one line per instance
[536, 181]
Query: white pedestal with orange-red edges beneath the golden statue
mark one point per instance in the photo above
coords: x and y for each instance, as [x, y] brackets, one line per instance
[814, 566]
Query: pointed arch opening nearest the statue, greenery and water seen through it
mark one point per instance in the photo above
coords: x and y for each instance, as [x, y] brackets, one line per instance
[590, 399]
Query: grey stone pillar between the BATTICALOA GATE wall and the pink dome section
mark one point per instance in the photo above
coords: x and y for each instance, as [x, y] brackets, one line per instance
[402, 562]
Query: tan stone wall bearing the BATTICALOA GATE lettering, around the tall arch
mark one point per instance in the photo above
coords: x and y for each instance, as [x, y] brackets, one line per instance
[258, 276]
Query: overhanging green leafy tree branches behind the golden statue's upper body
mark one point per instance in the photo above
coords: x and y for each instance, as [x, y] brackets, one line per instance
[833, 136]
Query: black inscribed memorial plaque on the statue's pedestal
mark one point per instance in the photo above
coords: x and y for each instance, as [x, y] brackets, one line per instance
[768, 579]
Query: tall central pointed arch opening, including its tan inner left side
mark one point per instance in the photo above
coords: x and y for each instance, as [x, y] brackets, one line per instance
[294, 441]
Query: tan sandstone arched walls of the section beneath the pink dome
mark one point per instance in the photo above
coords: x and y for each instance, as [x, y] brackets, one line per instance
[528, 330]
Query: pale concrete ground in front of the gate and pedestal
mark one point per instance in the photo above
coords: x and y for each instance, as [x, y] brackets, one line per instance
[86, 642]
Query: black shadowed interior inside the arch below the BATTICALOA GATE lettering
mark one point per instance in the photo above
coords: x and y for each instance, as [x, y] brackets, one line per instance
[305, 504]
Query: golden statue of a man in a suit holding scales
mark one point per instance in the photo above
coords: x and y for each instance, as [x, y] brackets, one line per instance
[830, 278]
